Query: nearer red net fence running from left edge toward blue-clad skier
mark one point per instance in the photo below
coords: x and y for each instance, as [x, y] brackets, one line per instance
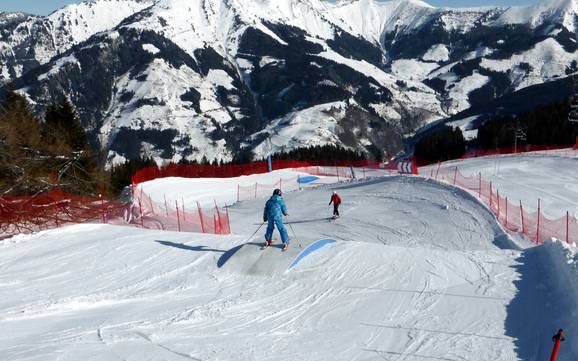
[27, 214]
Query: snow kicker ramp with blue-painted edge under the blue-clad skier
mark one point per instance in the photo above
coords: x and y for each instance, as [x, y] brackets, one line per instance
[249, 258]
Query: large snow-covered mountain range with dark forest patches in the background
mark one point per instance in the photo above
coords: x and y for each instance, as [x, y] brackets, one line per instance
[185, 78]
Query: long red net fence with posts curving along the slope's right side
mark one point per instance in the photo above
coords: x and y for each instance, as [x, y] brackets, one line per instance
[513, 216]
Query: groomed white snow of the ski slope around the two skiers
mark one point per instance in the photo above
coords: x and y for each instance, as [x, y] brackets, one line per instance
[420, 270]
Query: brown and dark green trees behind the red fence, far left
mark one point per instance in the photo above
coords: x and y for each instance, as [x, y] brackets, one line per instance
[38, 155]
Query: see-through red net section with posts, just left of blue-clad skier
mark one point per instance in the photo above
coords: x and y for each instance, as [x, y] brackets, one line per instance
[179, 217]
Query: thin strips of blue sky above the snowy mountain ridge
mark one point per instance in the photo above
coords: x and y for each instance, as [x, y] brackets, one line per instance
[44, 7]
